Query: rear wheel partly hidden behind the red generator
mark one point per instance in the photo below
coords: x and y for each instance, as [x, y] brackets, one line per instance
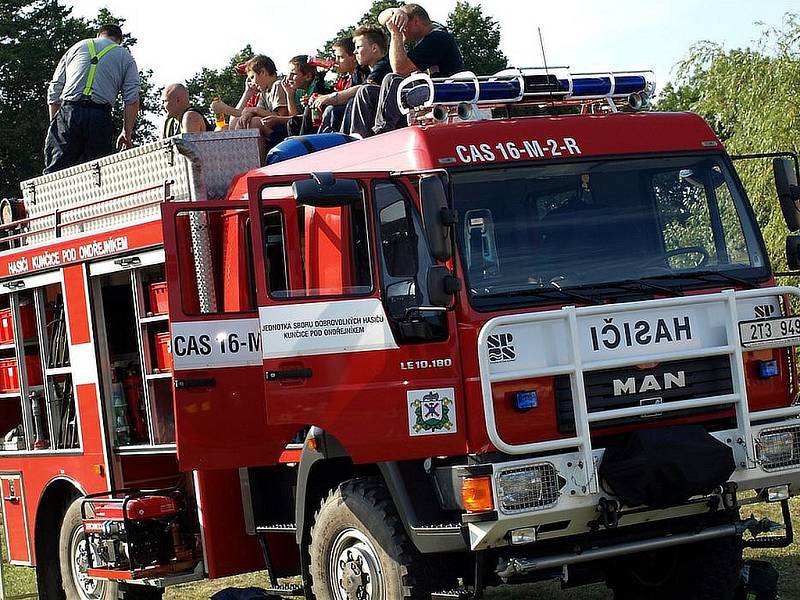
[79, 587]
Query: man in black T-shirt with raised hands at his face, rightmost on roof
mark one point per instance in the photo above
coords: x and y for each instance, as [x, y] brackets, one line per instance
[436, 51]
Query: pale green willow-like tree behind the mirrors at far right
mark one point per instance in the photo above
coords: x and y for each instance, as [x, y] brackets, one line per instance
[749, 96]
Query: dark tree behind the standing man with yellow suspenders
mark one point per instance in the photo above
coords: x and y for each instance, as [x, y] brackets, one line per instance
[34, 34]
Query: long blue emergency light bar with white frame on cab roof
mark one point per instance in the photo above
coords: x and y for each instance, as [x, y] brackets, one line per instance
[514, 85]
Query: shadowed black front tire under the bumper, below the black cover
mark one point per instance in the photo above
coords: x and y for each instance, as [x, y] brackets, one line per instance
[704, 571]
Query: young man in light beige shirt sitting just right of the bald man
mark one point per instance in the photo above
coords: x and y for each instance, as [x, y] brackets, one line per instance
[262, 73]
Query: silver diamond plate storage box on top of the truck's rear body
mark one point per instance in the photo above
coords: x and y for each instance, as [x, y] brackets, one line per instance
[127, 187]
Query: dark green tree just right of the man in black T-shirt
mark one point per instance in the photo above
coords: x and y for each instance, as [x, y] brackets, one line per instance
[478, 37]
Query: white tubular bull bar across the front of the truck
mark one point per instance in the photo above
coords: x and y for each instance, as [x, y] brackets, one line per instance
[576, 365]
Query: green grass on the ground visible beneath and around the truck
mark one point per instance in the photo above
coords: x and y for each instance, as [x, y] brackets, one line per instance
[21, 580]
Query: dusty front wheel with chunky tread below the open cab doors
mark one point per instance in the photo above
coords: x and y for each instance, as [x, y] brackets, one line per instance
[358, 523]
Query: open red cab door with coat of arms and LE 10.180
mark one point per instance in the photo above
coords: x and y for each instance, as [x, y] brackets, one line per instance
[332, 354]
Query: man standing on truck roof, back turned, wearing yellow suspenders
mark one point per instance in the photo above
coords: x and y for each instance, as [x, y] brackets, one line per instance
[85, 86]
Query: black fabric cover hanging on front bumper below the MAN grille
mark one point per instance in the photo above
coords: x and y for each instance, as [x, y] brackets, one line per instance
[665, 467]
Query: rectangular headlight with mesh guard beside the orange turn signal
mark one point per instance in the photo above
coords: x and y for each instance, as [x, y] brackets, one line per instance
[528, 488]
